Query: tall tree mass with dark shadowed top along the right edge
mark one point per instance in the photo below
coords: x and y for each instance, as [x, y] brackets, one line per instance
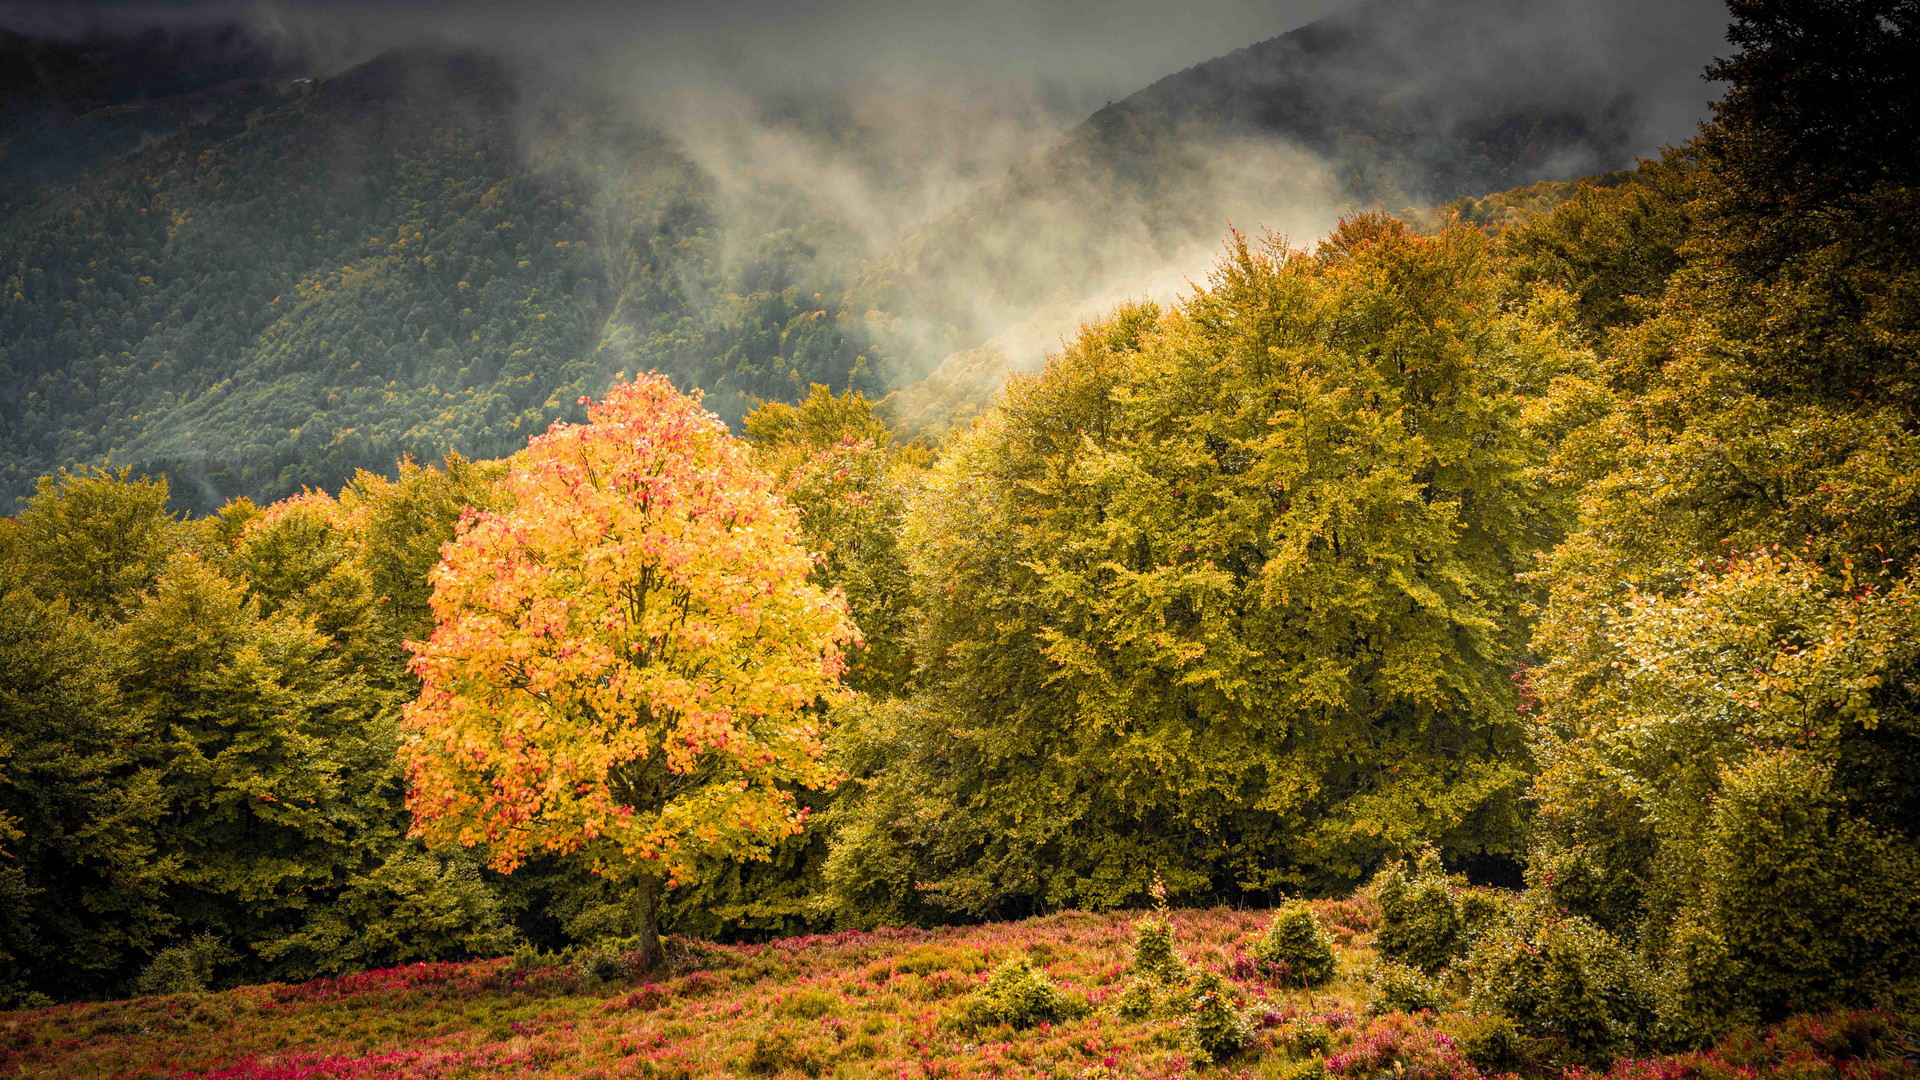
[1750, 474]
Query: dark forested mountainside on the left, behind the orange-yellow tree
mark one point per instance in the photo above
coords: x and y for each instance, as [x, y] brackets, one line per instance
[416, 258]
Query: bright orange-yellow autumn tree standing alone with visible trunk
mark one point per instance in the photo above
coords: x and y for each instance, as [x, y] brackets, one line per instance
[625, 664]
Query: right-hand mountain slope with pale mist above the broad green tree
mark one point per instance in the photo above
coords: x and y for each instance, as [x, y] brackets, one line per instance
[1403, 105]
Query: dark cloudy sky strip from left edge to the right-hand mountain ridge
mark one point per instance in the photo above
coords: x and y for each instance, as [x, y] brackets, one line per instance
[1088, 49]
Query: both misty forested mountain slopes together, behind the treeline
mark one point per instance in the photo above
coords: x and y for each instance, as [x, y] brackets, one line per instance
[252, 283]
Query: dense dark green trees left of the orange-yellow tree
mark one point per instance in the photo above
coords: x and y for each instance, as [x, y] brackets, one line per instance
[203, 735]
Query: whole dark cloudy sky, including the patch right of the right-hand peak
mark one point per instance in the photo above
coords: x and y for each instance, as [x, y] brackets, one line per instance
[1063, 57]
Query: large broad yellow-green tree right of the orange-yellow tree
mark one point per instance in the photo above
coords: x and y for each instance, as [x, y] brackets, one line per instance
[1228, 593]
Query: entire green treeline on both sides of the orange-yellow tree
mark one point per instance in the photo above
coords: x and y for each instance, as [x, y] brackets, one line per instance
[1579, 556]
